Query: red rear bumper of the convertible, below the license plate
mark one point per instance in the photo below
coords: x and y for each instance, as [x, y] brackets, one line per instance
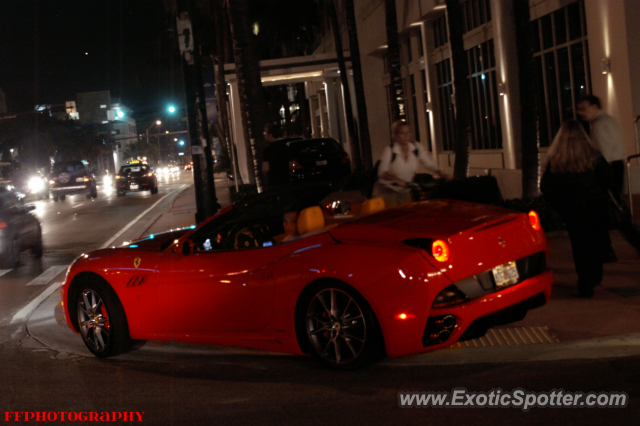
[407, 337]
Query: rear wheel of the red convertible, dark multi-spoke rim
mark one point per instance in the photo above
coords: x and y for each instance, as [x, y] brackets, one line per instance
[339, 327]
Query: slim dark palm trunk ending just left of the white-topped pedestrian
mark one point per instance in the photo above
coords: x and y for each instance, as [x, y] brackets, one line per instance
[363, 121]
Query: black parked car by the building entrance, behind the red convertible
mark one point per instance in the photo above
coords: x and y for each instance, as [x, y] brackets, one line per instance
[293, 160]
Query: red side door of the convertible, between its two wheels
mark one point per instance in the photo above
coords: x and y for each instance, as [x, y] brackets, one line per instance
[227, 287]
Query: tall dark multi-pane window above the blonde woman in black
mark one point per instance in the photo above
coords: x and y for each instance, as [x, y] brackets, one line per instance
[562, 67]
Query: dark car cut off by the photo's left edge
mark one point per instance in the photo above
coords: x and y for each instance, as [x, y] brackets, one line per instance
[19, 229]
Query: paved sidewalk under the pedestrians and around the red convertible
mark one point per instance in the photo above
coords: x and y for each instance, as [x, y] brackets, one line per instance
[567, 327]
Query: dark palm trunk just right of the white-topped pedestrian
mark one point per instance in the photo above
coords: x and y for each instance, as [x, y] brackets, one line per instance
[462, 93]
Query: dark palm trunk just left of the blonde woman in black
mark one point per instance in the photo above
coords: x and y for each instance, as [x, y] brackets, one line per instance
[528, 100]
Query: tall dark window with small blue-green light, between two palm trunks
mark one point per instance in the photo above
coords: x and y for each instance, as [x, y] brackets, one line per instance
[487, 133]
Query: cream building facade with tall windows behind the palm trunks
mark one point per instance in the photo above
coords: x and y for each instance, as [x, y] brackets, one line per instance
[580, 47]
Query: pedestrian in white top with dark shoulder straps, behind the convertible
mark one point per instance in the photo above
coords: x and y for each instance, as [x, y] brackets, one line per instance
[398, 166]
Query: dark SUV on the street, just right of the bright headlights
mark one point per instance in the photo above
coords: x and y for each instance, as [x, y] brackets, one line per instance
[71, 177]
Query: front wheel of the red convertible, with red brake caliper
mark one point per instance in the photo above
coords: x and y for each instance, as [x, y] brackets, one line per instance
[101, 319]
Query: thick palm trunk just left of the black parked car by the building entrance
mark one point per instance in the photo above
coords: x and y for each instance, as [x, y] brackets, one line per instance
[252, 99]
